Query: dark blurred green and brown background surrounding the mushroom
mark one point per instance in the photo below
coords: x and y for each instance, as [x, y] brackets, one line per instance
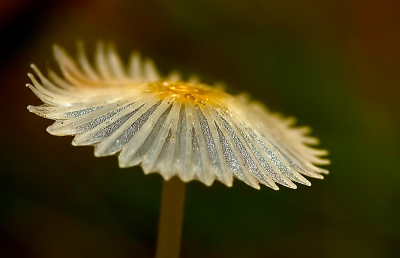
[333, 64]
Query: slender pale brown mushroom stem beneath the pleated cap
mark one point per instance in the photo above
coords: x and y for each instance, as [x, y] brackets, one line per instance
[171, 217]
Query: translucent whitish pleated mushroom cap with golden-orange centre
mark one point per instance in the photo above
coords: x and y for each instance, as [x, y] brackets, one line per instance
[170, 126]
